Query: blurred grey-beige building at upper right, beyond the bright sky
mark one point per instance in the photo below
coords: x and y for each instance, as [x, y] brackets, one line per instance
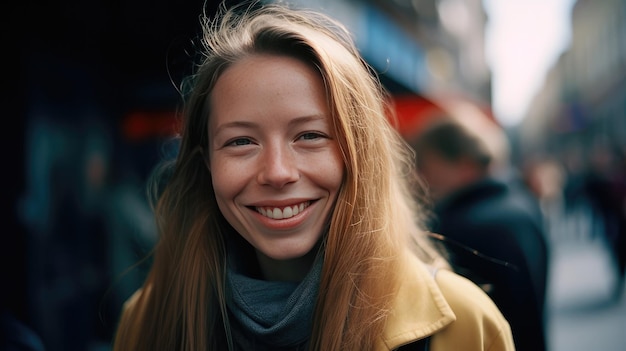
[583, 101]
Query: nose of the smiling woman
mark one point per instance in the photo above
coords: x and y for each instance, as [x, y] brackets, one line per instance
[279, 167]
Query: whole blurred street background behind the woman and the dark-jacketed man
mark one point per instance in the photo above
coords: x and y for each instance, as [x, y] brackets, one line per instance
[91, 105]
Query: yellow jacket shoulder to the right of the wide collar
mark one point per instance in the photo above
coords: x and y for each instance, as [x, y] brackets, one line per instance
[479, 324]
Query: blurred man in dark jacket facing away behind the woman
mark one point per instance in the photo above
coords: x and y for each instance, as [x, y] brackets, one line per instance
[491, 226]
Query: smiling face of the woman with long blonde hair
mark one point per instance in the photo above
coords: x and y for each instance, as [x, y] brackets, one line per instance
[275, 165]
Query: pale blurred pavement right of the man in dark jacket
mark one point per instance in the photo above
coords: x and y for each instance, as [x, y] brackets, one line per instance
[582, 314]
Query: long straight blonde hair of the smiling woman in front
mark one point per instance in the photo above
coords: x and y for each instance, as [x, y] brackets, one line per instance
[182, 304]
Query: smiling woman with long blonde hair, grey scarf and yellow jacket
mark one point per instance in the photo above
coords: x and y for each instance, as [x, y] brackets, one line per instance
[287, 219]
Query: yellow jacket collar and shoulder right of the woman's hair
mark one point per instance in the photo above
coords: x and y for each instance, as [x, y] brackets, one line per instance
[456, 312]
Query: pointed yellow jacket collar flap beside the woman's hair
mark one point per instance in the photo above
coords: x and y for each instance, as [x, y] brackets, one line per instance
[419, 308]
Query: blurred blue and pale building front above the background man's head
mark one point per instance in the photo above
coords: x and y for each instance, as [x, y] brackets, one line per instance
[419, 47]
